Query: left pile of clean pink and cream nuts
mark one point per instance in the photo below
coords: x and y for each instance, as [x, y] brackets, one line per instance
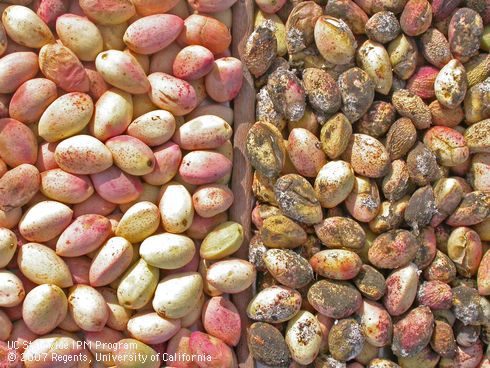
[117, 241]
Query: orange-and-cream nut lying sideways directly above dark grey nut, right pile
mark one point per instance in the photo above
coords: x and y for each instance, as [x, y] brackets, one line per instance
[336, 264]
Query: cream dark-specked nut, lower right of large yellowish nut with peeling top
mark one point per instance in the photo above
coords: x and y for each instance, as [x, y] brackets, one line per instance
[373, 58]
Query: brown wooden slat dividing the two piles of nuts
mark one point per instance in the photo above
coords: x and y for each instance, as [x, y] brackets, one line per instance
[241, 182]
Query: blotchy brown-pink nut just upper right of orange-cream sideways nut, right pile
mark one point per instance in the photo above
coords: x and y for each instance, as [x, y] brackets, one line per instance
[393, 249]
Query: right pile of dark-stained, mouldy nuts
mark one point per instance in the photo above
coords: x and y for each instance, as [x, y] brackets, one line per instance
[371, 164]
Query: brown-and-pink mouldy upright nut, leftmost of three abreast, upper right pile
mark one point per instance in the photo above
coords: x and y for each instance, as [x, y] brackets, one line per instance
[287, 94]
